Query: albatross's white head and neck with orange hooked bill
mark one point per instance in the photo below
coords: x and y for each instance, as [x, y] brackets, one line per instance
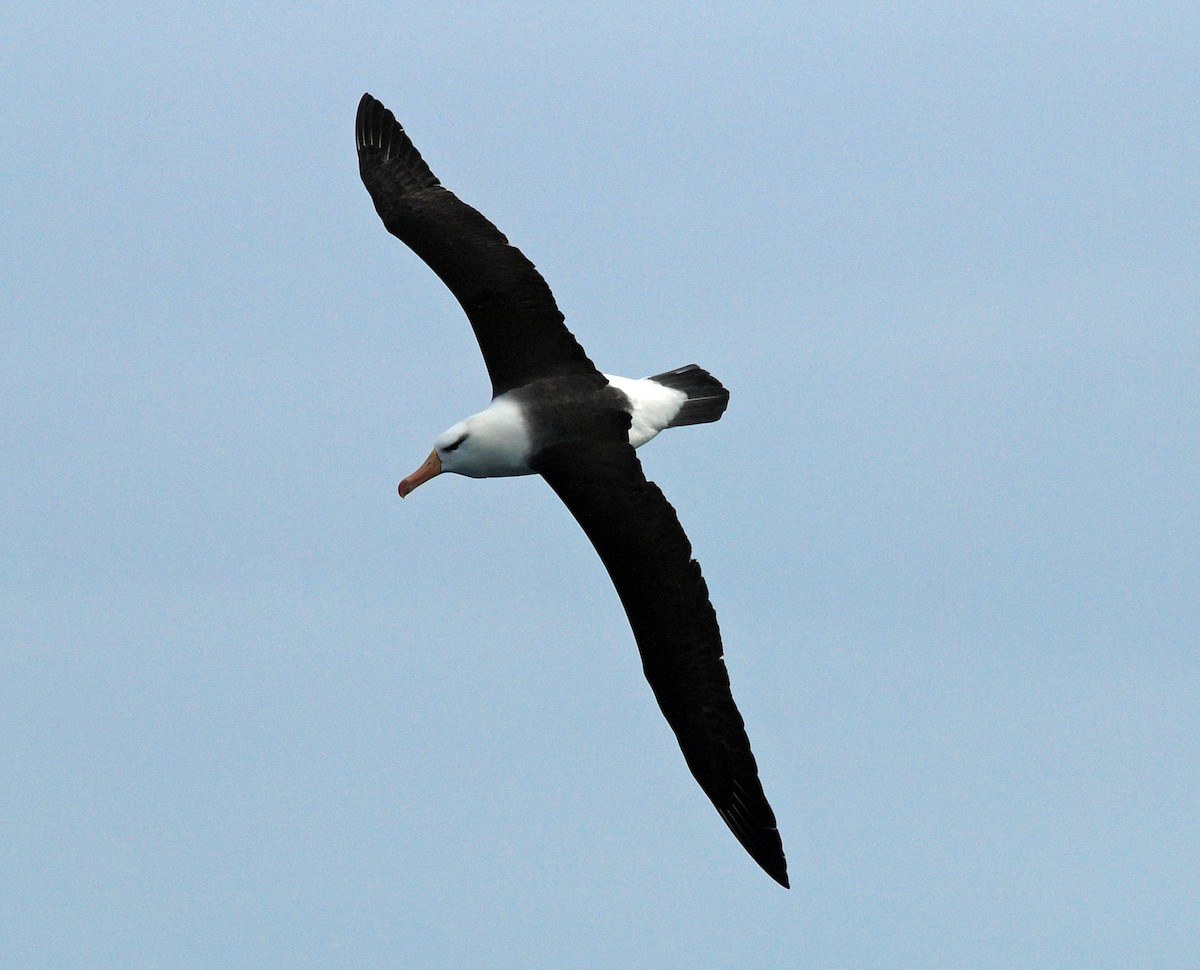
[489, 445]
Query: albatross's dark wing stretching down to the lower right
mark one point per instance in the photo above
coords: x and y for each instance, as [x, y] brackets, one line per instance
[639, 537]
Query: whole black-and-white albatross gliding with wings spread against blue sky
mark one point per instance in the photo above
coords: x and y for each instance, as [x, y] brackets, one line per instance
[555, 415]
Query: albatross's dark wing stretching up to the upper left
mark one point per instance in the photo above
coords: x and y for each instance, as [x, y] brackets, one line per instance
[518, 325]
